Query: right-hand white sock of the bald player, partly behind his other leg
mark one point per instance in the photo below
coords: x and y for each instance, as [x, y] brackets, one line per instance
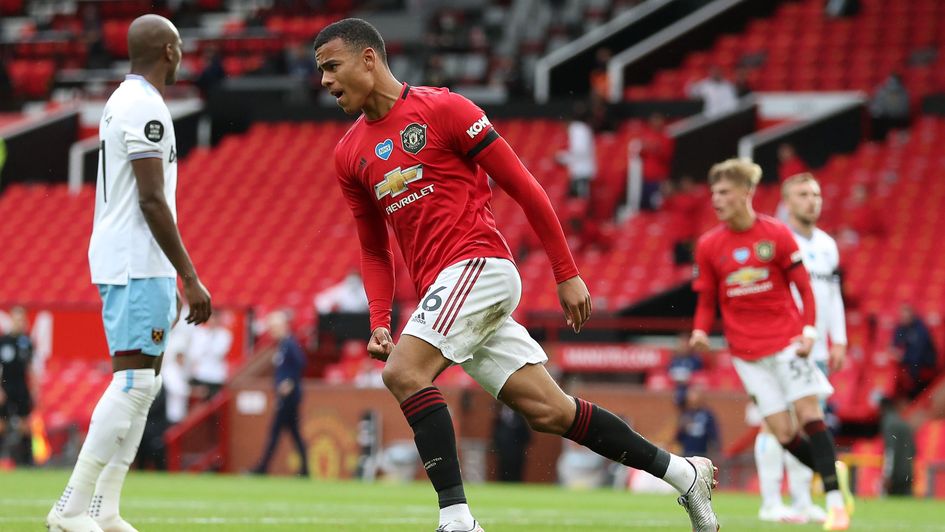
[104, 506]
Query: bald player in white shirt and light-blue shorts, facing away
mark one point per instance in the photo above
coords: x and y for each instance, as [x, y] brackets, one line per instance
[135, 256]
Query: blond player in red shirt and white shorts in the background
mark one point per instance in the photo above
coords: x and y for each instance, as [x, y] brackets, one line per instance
[747, 264]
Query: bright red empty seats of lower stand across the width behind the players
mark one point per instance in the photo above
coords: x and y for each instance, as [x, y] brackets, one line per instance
[267, 226]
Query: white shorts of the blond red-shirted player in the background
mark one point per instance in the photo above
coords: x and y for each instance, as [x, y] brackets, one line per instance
[776, 381]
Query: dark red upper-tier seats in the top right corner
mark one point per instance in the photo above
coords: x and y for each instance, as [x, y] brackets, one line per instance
[801, 49]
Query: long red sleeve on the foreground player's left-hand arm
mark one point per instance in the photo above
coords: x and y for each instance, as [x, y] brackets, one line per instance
[377, 260]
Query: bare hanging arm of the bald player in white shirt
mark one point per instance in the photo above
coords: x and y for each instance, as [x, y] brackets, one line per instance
[149, 175]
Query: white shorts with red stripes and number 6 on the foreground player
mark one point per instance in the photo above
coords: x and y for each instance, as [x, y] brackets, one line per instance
[466, 314]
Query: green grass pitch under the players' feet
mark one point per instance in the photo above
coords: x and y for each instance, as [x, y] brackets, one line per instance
[159, 502]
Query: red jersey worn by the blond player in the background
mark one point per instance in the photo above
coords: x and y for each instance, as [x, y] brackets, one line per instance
[749, 272]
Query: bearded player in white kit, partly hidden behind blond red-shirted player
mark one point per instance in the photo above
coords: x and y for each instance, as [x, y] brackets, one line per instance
[802, 199]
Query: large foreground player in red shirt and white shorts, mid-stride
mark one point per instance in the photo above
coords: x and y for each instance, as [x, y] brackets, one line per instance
[416, 160]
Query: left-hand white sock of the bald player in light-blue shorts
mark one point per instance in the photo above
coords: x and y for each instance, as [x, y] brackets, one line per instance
[111, 422]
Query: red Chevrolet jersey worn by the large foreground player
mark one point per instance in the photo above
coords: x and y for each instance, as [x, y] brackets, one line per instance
[416, 166]
